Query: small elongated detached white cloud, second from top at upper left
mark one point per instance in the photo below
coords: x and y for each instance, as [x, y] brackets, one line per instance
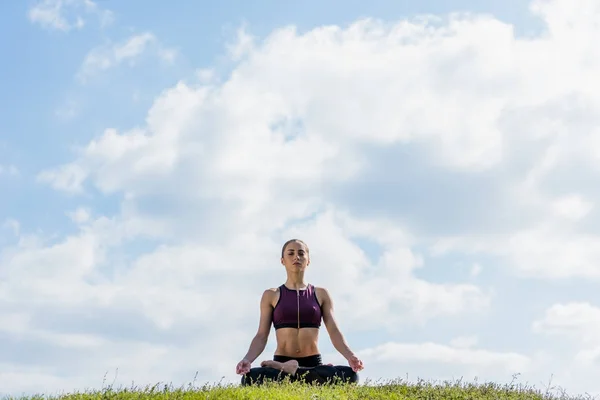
[129, 51]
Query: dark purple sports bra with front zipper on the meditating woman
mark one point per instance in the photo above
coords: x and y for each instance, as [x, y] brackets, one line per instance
[294, 310]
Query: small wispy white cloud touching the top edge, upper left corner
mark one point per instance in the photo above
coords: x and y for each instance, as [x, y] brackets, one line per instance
[66, 15]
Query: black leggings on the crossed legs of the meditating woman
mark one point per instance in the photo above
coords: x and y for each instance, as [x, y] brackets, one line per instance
[310, 370]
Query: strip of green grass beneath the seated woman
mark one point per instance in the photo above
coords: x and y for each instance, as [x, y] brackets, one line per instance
[391, 390]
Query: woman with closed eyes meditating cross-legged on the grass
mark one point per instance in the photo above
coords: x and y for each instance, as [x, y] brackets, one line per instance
[296, 310]
